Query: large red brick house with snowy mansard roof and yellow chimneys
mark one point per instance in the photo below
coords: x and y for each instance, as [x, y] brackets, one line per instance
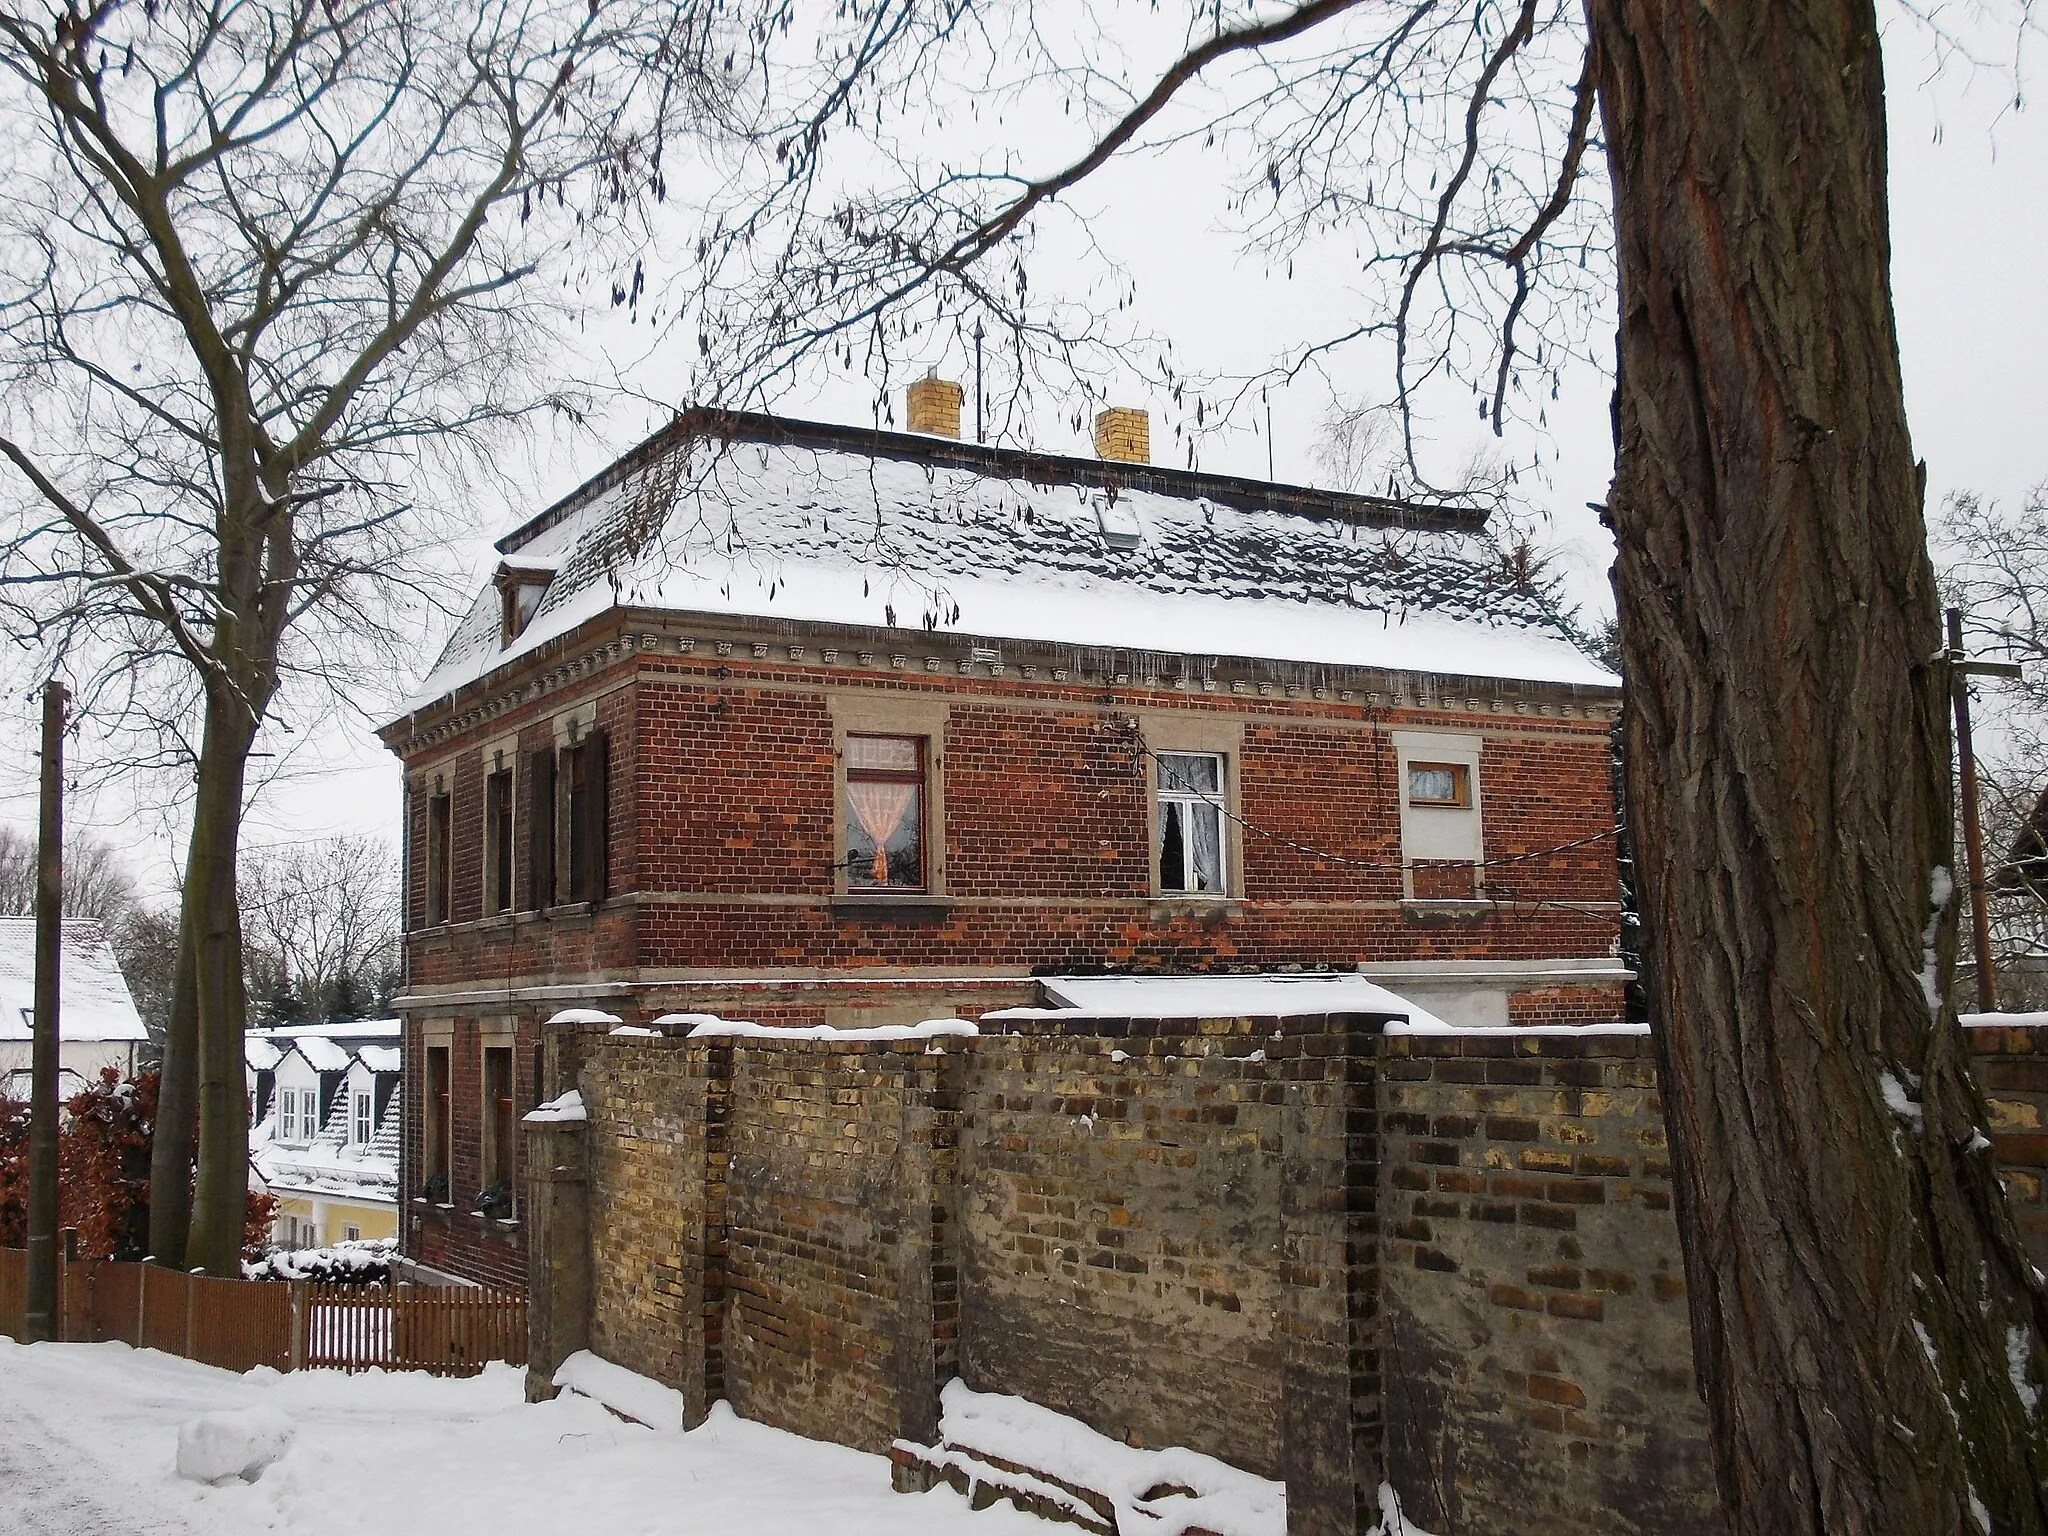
[812, 724]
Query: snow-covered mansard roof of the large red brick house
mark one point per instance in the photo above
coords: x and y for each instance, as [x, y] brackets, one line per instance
[796, 521]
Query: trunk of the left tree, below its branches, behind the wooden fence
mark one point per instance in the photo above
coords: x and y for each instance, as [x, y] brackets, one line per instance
[212, 935]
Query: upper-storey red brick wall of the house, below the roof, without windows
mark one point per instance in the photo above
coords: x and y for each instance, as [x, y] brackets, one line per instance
[724, 787]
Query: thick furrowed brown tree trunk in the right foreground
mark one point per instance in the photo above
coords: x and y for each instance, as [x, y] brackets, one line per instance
[1857, 1277]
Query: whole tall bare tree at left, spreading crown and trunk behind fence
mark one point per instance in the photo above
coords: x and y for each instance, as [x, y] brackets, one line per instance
[263, 259]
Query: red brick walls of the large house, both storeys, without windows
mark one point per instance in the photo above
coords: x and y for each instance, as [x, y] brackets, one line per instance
[724, 882]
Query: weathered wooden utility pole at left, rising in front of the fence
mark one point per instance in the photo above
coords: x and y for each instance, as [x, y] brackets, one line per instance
[42, 1310]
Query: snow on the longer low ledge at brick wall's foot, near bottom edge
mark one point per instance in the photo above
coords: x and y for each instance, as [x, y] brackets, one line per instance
[1017, 1431]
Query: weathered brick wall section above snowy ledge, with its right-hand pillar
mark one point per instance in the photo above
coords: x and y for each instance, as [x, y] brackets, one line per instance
[1158, 1236]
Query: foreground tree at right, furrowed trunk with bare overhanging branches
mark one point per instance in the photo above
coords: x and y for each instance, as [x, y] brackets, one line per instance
[1871, 1336]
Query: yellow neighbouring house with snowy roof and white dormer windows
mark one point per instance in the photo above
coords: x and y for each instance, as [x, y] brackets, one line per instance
[325, 1117]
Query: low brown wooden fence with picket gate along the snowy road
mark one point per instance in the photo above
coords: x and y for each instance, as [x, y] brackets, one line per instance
[288, 1326]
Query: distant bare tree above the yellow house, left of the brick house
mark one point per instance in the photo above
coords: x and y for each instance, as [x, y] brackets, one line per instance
[321, 929]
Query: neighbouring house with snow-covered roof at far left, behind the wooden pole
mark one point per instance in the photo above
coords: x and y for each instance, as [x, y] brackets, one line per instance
[97, 1021]
